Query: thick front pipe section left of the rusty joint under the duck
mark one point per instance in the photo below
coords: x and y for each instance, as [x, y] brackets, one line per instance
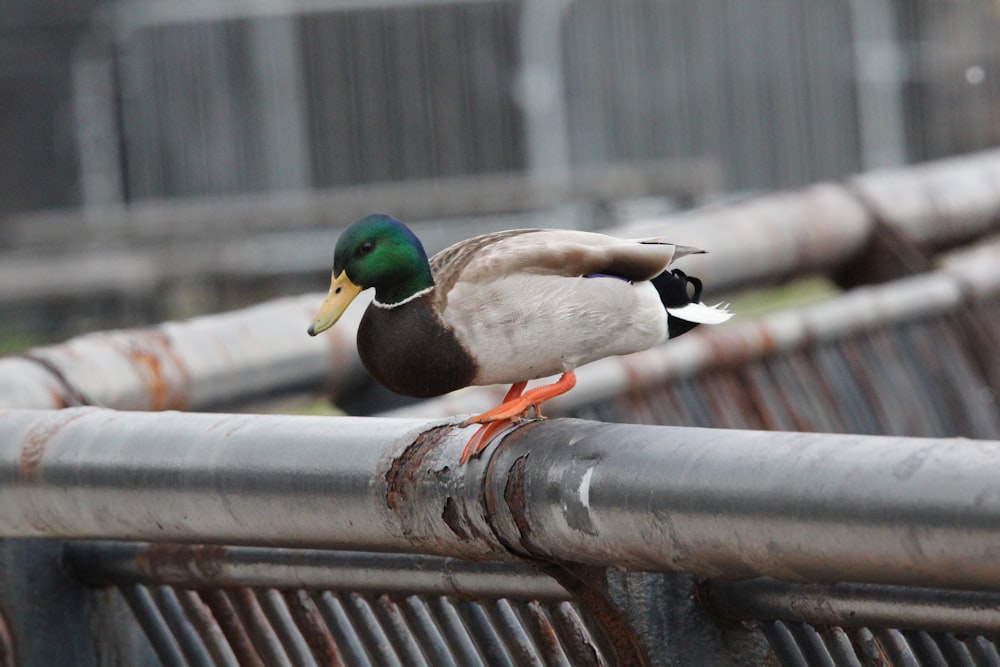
[234, 479]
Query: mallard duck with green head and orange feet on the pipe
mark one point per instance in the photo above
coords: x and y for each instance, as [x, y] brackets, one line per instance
[505, 308]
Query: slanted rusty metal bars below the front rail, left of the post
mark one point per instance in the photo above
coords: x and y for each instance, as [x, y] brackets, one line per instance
[267, 626]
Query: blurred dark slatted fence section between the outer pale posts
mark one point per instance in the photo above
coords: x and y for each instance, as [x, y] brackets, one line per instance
[346, 93]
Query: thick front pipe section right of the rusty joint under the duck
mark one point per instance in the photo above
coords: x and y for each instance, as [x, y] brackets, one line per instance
[741, 504]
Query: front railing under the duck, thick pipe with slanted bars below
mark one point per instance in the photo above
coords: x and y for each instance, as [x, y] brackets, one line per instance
[912, 521]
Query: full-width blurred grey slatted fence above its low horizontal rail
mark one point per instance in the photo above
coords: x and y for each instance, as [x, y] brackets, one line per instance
[127, 101]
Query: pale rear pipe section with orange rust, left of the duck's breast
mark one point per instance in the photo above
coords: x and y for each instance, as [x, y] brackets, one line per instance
[202, 363]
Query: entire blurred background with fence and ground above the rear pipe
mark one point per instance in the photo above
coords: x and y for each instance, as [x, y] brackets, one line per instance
[196, 150]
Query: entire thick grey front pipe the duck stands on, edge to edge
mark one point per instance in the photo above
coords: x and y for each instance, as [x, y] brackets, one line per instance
[802, 507]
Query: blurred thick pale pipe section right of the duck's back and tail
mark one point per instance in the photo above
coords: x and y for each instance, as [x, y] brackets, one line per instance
[821, 227]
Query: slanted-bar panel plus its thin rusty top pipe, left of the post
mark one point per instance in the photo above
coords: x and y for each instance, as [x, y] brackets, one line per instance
[216, 605]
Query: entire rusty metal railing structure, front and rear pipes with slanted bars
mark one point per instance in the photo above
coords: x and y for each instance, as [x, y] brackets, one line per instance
[247, 539]
